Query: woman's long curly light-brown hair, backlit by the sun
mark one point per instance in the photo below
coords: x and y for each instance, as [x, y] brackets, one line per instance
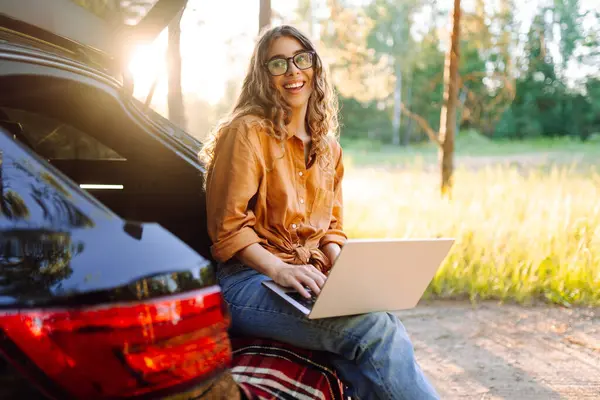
[260, 97]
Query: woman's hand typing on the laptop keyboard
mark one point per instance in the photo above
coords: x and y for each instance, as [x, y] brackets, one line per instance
[299, 276]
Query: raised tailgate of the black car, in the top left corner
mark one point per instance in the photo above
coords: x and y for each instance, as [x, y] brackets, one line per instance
[104, 31]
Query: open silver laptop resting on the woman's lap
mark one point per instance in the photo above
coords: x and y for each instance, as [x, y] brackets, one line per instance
[373, 275]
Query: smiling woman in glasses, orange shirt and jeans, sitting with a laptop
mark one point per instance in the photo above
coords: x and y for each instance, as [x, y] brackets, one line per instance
[274, 203]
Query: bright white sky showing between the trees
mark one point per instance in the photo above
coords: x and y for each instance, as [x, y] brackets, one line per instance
[218, 38]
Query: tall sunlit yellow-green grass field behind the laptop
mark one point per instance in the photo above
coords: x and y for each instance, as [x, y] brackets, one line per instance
[523, 234]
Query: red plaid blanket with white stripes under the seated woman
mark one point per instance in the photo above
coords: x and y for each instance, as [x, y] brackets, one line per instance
[266, 369]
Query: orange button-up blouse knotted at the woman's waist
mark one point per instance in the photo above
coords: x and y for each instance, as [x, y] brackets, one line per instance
[260, 190]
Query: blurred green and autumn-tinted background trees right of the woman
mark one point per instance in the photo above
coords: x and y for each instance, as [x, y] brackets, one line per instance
[511, 87]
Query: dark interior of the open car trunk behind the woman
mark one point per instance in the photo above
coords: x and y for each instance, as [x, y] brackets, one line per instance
[151, 182]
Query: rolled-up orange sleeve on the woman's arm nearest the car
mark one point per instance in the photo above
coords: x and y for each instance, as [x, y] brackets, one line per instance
[232, 182]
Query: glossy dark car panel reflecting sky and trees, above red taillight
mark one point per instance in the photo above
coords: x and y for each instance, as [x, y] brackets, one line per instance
[57, 241]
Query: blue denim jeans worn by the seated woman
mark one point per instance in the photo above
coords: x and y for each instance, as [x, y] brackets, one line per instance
[371, 352]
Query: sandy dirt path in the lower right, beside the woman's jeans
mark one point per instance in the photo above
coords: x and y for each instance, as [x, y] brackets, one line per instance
[492, 351]
